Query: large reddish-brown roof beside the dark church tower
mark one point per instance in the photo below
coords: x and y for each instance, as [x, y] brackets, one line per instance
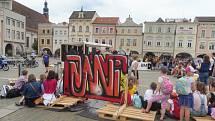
[33, 18]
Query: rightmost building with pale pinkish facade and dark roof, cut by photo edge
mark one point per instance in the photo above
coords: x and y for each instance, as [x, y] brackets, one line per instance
[205, 35]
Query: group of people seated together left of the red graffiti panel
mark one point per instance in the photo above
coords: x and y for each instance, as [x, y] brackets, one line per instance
[32, 90]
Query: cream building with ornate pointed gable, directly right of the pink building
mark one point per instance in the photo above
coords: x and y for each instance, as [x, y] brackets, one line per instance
[129, 36]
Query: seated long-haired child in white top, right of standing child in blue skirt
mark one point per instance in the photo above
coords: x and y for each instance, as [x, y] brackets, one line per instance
[200, 107]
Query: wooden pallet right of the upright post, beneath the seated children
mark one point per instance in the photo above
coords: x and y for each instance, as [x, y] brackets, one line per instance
[132, 113]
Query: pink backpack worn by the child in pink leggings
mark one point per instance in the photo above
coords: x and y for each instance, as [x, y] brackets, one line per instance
[166, 86]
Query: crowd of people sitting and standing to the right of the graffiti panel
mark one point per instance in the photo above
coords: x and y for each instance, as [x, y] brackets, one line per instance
[192, 94]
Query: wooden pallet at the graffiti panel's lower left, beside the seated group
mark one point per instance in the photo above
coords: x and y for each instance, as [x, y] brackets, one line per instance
[65, 101]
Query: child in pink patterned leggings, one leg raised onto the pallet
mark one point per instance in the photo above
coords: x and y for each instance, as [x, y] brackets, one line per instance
[161, 96]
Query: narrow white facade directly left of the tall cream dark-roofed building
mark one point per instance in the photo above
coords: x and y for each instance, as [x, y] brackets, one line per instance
[60, 36]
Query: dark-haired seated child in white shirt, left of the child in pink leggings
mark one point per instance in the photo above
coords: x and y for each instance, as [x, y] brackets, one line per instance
[148, 95]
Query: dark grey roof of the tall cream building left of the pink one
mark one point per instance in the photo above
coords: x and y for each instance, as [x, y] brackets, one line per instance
[86, 15]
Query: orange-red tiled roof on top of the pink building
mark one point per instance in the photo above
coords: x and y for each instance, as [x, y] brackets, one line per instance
[106, 20]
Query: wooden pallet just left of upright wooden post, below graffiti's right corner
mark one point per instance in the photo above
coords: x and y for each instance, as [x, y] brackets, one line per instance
[110, 112]
